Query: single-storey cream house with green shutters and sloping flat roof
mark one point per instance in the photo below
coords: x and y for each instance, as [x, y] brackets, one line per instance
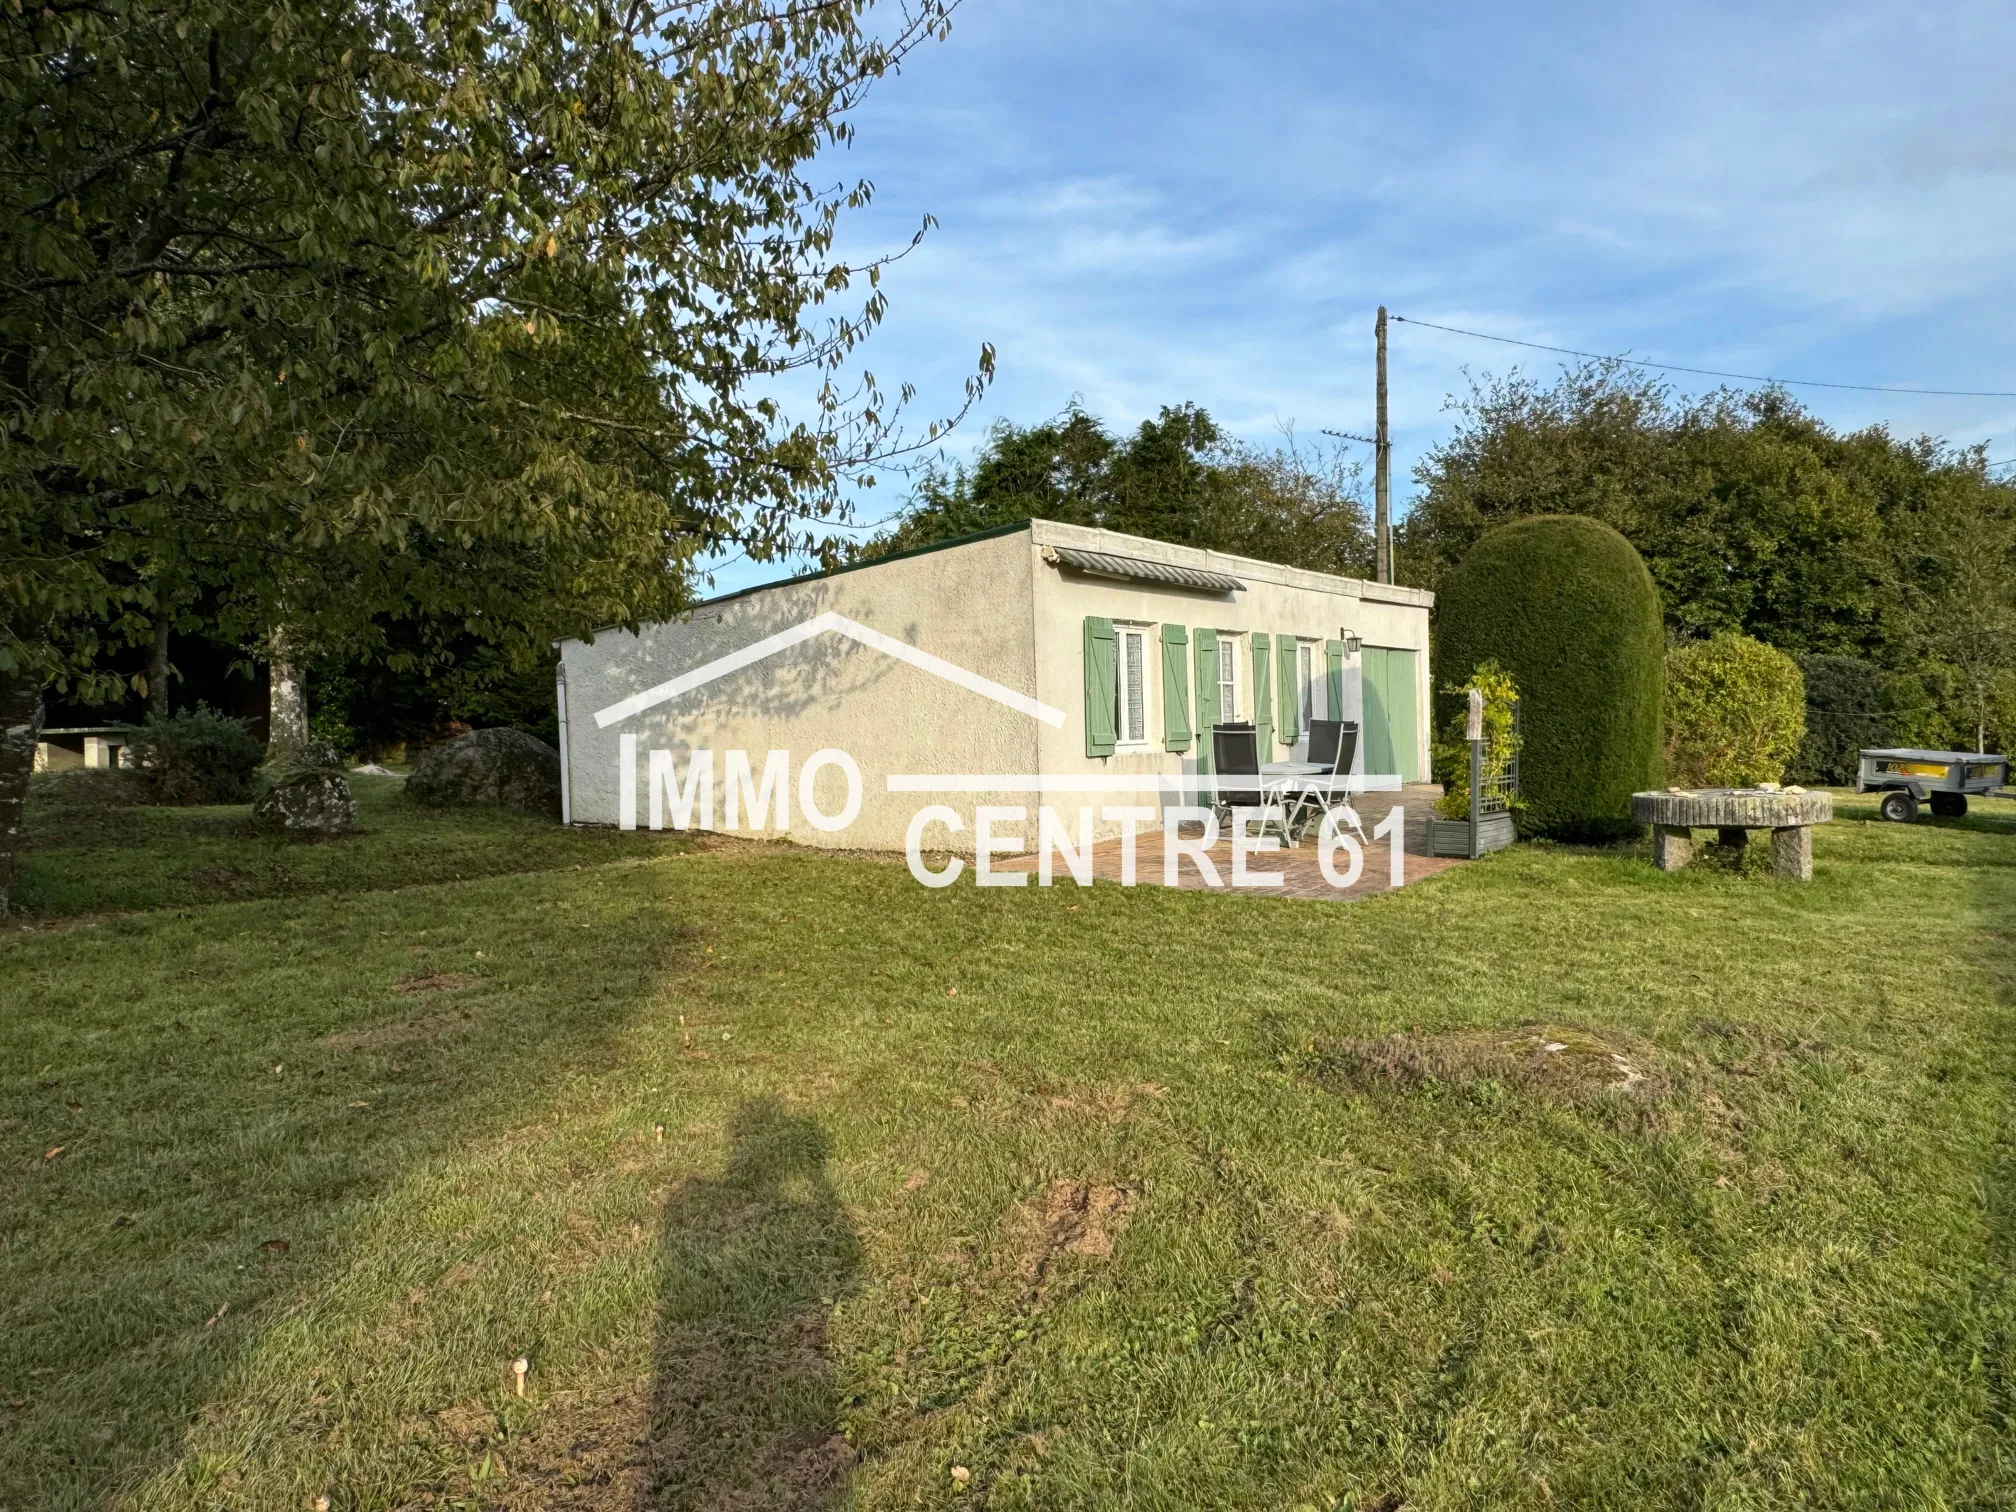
[993, 670]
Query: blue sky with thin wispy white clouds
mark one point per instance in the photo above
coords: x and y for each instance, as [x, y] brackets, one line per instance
[1144, 205]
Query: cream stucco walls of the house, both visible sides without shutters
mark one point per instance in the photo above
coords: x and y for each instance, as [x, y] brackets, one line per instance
[993, 608]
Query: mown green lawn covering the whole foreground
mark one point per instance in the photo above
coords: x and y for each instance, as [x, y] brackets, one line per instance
[799, 1186]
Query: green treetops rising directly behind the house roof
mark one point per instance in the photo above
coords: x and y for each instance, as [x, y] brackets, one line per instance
[1176, 479]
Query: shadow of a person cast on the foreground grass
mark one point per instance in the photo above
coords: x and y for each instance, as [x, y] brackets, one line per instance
[743, 1406]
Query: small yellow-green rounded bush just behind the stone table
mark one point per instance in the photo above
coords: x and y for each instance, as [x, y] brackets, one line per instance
[1735, 713]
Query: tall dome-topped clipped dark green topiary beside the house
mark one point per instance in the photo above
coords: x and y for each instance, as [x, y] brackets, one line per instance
[1567, 608]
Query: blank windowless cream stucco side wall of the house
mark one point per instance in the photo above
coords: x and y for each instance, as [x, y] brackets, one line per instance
[965, 604]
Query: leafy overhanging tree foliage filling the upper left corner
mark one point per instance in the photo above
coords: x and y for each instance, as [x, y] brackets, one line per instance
[330, 311]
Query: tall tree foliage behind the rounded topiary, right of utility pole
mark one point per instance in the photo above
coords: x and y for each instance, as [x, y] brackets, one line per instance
[1753, 517]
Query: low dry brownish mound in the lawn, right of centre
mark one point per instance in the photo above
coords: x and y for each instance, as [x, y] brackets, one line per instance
[1569, 1063]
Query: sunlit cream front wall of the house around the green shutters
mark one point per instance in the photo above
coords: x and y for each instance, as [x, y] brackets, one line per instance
[1277, 602]
